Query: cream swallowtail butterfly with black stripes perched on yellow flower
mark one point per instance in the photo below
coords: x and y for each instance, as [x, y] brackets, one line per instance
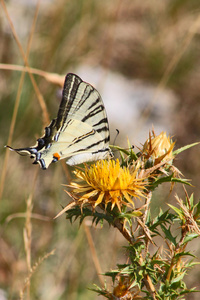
[80, 132]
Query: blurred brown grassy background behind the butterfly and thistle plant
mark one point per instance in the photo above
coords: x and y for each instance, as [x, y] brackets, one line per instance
[144, 59]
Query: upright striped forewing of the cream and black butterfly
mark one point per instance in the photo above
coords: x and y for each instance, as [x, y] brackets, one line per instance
[82, 102]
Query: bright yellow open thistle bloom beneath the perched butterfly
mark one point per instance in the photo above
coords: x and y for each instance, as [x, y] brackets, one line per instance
[107, 182]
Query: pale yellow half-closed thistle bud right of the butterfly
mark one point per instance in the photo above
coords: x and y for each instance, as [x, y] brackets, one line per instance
[159, 148]
